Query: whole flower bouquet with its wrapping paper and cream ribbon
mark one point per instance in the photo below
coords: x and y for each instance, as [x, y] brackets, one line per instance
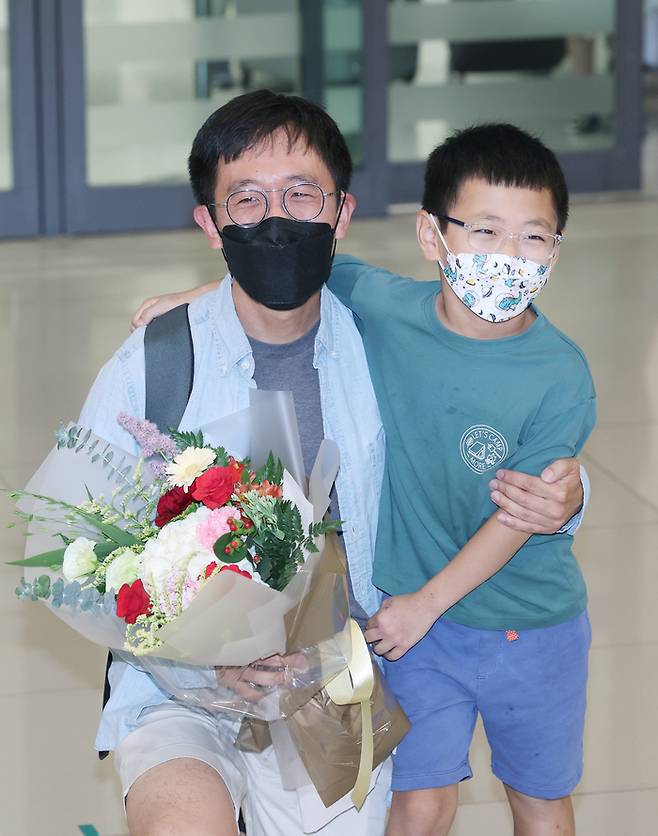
[192, 562]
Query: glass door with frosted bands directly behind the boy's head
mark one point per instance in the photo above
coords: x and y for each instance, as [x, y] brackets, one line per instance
[568, 72]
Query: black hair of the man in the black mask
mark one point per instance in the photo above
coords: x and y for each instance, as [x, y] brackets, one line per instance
[251, 119]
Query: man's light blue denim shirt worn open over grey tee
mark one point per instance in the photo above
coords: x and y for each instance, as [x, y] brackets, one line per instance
[223, 374]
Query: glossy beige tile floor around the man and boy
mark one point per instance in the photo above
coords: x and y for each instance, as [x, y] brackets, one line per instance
[64, 307]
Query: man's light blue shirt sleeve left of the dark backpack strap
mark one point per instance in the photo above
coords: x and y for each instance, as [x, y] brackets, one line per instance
[119, 387]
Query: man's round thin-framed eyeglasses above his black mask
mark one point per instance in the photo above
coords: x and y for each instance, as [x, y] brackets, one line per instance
[249, 207]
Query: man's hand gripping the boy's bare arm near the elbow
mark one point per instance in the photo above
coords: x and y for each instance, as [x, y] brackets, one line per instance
[538, 504]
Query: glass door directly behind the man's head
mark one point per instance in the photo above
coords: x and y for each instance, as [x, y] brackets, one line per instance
[140, 78]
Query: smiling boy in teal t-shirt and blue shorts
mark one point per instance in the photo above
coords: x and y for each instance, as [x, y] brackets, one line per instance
[470, 377]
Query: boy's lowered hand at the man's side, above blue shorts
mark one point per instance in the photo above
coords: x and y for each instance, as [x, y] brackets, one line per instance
[399, 624]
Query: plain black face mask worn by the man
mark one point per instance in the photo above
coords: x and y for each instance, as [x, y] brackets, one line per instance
[281, 262]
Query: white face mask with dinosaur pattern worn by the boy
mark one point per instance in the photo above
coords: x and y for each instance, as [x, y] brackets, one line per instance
[494, 286]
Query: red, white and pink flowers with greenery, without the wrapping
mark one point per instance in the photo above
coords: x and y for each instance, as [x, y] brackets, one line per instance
[204, 513]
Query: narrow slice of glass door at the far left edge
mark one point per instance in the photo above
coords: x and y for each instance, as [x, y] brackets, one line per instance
[19, 212]
